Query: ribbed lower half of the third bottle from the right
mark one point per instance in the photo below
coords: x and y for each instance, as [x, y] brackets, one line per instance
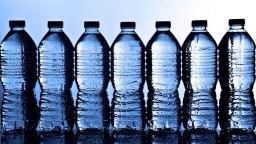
[163, 111]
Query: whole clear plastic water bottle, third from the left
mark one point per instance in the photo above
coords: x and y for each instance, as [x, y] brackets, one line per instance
[92, 77]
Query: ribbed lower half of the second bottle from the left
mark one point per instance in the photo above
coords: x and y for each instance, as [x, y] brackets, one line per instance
[56, 112]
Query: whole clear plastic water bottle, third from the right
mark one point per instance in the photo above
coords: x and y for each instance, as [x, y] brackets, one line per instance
[163, 77]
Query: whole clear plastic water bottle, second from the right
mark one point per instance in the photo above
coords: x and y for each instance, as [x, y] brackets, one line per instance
[199, 68]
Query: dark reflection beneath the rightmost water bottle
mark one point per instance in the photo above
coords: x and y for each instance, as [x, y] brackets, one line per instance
[237, 138]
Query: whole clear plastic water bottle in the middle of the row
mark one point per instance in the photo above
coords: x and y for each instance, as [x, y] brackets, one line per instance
[128, 76]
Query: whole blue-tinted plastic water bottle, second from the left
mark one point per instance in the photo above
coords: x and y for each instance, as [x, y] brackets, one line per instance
[56, 74]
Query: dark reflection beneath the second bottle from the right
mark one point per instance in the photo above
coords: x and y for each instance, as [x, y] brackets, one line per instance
[206, 137]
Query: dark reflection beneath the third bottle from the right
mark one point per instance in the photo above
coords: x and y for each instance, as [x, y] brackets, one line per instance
[164, 138]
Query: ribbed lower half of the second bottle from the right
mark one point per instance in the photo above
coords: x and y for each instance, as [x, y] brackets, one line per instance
[200, 111]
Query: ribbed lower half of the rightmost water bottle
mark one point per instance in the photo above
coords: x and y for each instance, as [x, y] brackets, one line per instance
[237, 111]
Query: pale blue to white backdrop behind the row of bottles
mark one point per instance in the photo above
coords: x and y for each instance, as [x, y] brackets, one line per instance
[110, 13]
